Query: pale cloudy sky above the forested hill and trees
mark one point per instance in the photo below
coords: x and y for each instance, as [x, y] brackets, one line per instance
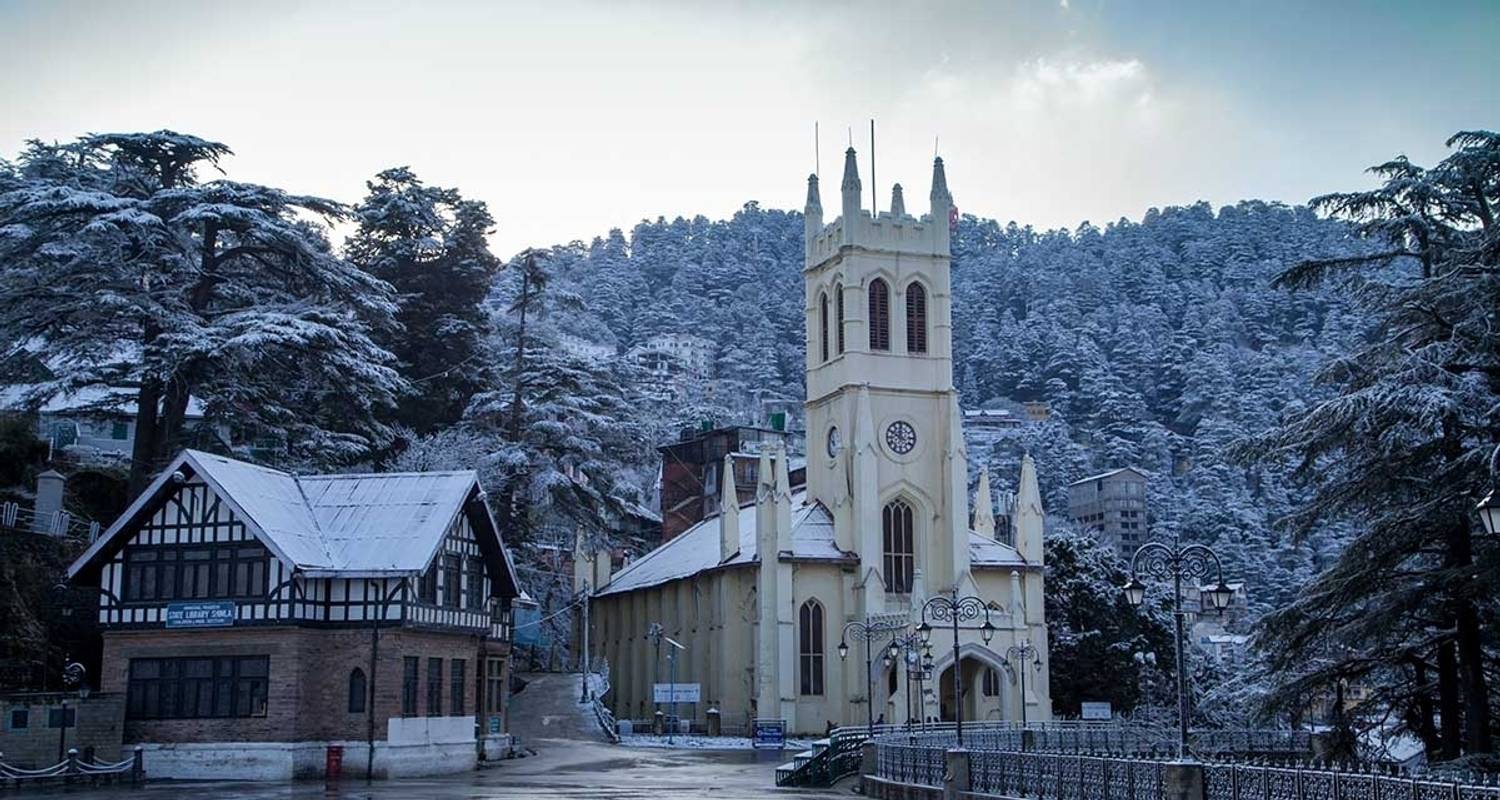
[571, 119]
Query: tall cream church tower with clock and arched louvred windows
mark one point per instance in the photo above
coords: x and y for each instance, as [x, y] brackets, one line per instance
[886, 448]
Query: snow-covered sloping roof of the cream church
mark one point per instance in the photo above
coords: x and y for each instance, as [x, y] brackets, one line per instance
[697, 549]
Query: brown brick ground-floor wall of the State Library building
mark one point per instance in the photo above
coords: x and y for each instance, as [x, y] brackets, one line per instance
[308, 685]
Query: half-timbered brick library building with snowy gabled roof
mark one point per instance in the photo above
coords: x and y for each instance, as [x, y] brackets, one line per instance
[257, 621]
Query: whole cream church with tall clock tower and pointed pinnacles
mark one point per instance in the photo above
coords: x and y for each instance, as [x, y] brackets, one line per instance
[757, 598]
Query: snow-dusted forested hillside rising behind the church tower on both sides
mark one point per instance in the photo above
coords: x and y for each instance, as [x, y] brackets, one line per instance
[1157, 344]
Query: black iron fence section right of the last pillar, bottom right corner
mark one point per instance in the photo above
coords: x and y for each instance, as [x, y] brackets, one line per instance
[1226, 781]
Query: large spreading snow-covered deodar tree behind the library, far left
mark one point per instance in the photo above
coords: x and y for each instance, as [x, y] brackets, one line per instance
[124, 269]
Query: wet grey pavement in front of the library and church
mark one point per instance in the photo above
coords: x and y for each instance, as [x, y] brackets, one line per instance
[563, 769]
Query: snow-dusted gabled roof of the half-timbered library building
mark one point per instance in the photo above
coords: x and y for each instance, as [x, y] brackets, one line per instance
[329, 525]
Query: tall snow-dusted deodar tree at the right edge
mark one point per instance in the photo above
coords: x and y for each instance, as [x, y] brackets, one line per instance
[1405, 448]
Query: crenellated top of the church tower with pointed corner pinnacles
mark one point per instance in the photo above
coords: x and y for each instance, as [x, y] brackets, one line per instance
[889, 232]
